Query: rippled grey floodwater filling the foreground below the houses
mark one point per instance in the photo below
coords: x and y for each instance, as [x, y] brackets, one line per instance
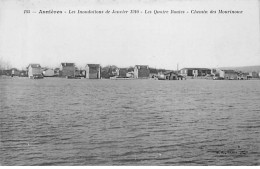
[56, 121]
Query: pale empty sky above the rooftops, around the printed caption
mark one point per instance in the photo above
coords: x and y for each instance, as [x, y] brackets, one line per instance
[161, 41]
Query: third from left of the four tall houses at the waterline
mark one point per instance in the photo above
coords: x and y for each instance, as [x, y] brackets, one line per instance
[93, 71]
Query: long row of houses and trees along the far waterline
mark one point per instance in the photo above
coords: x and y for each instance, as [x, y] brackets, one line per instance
[94, 71]
